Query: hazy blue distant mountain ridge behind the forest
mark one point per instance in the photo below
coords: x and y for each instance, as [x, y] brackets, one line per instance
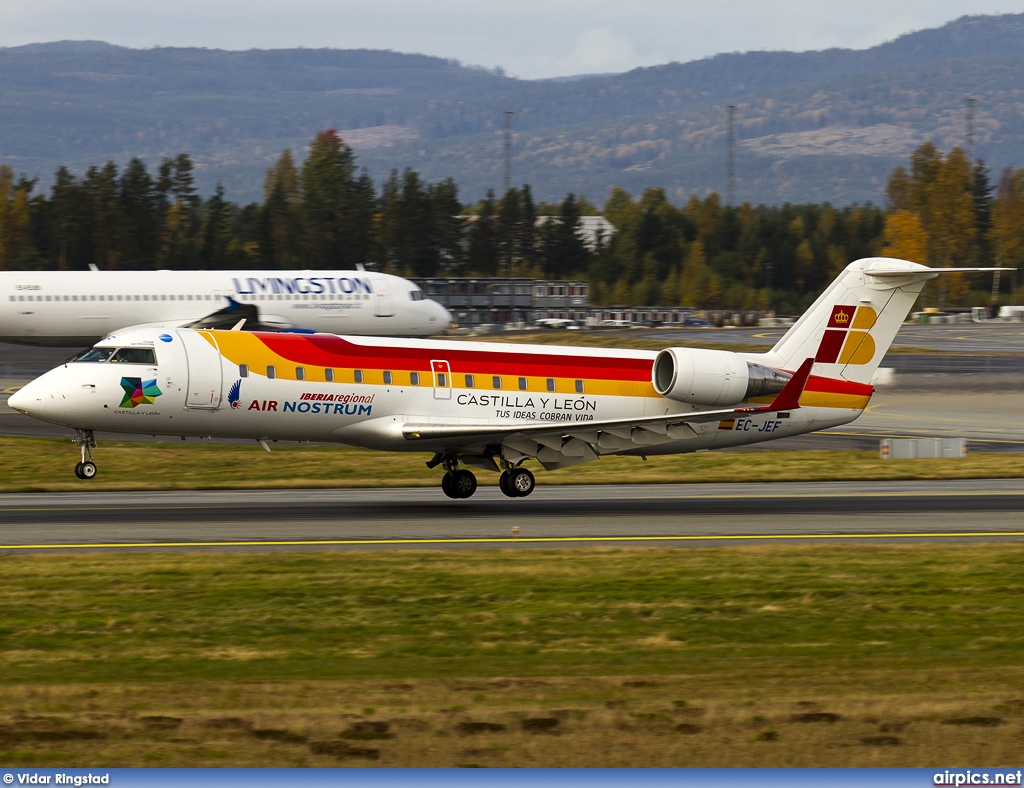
[850, 115]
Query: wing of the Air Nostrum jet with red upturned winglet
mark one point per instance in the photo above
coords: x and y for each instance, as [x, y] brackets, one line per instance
[559, 446]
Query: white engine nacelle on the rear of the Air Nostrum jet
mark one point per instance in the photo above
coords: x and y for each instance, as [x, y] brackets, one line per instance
[713, 377]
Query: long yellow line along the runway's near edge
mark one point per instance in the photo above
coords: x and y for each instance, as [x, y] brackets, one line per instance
[516, 540]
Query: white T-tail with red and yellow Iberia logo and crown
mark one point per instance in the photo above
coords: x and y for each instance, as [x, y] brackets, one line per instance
[849, 329]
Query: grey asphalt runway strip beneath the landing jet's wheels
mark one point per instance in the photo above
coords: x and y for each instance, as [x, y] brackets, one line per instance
[554, 516]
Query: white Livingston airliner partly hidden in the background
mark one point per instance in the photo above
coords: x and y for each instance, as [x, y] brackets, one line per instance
[76, 309]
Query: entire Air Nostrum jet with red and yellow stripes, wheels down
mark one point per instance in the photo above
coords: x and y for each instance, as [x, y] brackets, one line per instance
[481, 405]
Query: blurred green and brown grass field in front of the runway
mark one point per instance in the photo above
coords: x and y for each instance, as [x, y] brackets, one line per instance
[864, 655]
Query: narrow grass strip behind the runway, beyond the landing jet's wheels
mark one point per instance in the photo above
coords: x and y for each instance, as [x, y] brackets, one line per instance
[47, 465]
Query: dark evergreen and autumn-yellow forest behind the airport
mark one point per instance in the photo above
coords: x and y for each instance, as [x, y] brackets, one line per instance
[943, 210]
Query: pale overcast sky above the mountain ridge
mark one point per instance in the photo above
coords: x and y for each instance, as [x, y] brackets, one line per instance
[528, 38]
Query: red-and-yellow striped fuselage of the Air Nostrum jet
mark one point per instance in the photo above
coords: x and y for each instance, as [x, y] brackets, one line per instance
[365, 391]
